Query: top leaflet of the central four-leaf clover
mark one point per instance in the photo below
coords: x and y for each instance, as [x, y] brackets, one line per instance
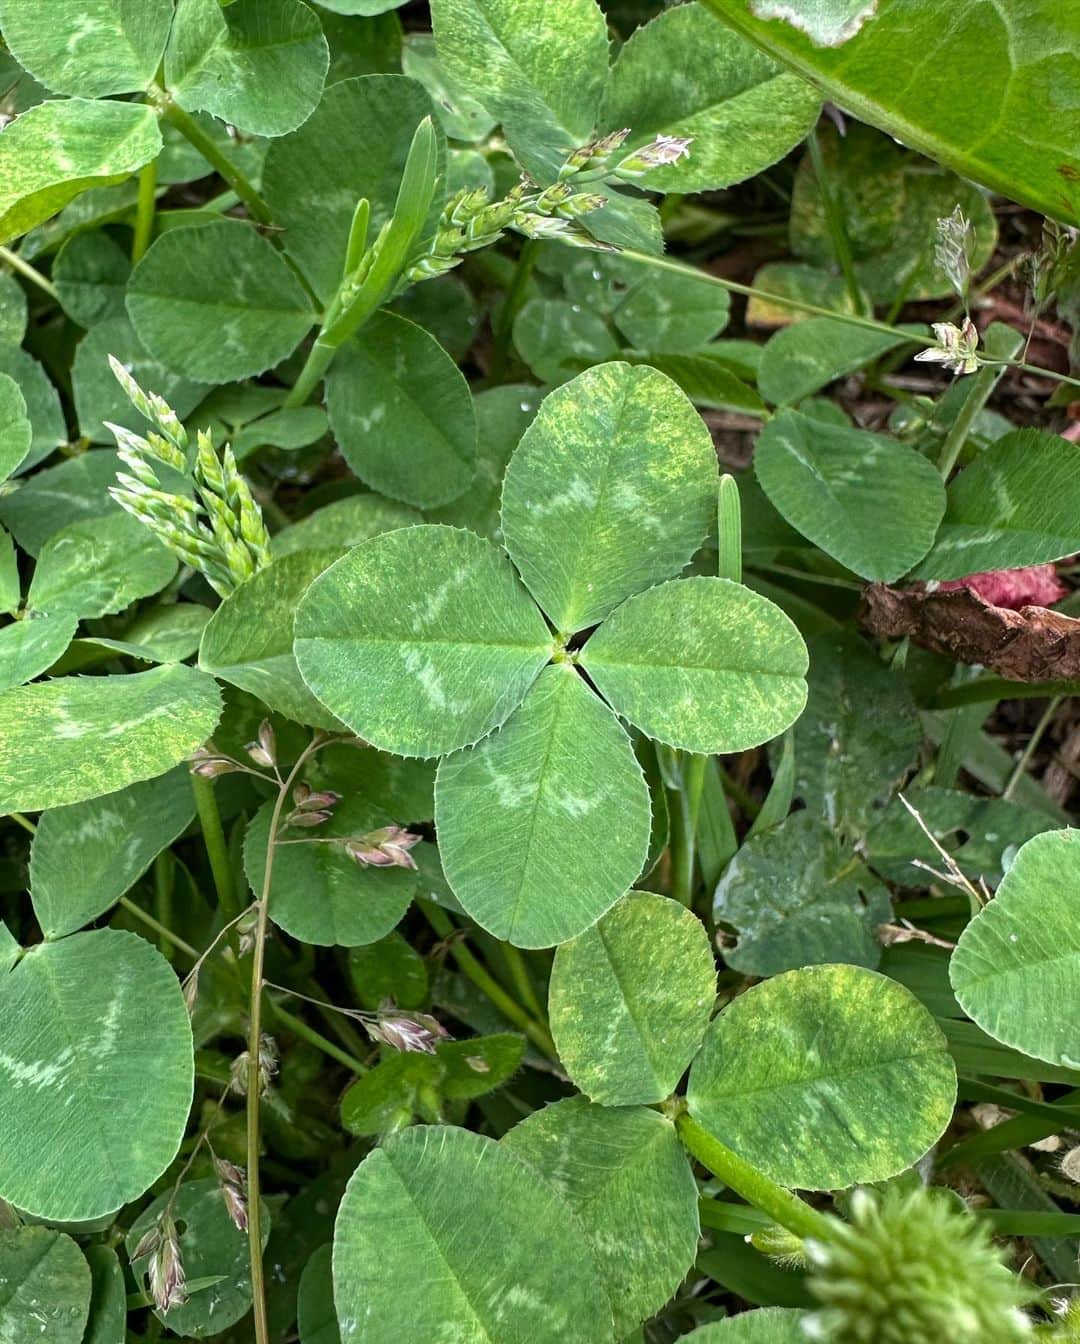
[640, 493]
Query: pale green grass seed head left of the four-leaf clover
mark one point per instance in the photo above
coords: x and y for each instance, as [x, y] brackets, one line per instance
[217, 530]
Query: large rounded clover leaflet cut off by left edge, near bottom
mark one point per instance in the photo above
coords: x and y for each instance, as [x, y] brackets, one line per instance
[96, 1061]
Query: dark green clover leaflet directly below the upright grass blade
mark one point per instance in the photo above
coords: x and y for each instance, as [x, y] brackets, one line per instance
[404, 415]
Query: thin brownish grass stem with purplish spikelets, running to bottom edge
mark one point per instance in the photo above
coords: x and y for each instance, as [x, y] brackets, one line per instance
[255, 1040]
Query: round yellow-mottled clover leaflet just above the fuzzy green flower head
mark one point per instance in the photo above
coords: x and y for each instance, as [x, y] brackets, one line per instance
[825, 1077]
